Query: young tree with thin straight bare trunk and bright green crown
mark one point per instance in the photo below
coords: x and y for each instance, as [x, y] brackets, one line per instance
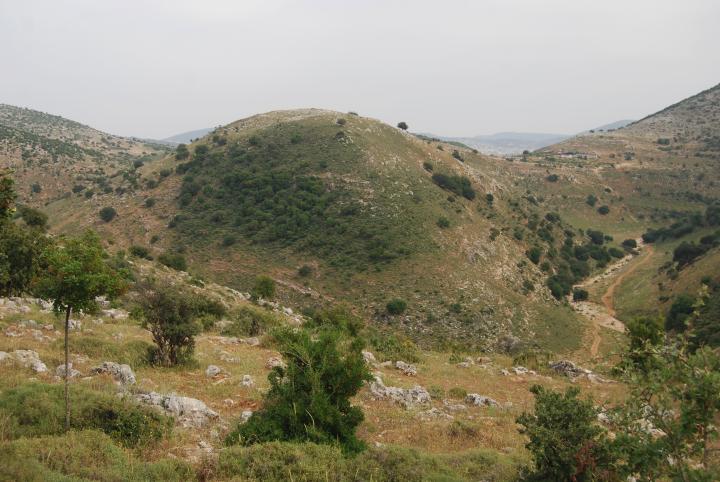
[74, 274]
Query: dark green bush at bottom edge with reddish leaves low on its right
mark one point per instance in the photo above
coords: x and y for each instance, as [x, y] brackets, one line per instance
[564, 440]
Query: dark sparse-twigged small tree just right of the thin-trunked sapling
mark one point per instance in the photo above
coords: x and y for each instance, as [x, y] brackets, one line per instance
[170, 316]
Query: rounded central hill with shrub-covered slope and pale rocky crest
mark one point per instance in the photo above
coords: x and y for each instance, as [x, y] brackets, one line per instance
[337, 207]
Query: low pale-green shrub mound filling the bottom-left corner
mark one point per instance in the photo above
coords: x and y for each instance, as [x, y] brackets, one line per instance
[83, 455]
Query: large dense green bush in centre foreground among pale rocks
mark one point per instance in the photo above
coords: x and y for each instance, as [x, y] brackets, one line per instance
[309, 400]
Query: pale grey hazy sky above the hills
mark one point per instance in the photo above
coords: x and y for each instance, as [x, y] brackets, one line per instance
[154, 68]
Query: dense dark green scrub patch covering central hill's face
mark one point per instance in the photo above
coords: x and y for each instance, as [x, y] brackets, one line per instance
[274, 194]
